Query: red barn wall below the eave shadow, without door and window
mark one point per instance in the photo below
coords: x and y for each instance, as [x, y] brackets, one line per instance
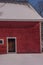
[28, 38]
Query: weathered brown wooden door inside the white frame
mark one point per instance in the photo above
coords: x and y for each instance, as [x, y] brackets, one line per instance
[11, 45]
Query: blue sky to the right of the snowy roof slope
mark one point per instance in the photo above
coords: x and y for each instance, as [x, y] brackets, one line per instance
[37, 6]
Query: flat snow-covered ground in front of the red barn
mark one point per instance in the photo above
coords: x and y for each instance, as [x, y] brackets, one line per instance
[21, 59]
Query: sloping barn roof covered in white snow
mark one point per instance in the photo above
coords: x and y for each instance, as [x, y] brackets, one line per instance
[17, 11]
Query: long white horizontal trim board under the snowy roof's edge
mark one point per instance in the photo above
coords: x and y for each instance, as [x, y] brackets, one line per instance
[29, 20]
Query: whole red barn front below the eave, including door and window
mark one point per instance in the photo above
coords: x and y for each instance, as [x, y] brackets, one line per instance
[19, 37]
